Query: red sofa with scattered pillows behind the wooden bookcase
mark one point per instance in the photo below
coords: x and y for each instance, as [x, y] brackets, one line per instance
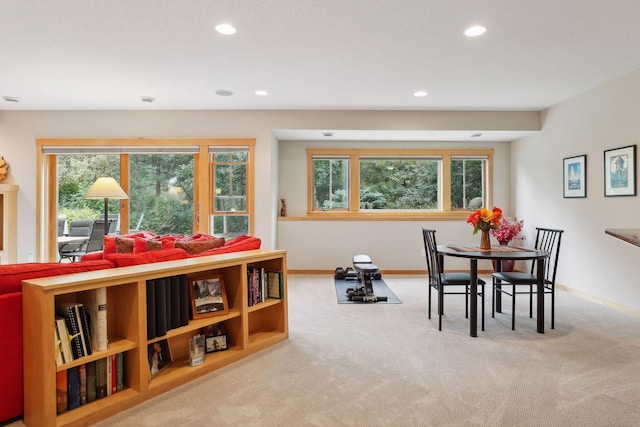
[12, 275]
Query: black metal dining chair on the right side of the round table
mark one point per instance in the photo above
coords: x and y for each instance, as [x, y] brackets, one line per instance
[512, 283]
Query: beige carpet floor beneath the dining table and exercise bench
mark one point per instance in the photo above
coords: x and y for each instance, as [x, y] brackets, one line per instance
[389, 366]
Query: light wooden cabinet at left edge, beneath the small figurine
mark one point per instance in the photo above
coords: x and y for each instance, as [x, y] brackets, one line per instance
[8, 223]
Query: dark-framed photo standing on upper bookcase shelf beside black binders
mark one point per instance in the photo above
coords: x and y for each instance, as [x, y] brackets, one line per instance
[208, 297]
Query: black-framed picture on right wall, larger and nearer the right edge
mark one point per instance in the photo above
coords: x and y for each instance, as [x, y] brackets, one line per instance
[620, 171]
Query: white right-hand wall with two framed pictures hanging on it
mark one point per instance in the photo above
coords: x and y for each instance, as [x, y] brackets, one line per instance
[591, 261]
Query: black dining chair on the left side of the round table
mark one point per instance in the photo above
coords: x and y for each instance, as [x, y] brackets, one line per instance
[446, 283]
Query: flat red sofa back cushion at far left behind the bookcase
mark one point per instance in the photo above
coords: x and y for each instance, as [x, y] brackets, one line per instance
[11, 276]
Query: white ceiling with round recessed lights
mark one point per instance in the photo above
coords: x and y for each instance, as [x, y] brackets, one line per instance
[311, 54]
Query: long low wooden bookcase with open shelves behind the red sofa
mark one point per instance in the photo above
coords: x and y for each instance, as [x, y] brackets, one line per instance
[249, 329]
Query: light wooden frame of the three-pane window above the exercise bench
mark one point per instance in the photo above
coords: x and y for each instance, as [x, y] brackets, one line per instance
[355, 213]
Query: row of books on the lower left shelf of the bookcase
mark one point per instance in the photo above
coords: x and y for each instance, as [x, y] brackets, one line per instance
[90, 381]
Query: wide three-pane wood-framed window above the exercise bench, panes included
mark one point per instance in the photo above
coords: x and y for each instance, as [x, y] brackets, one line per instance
[398, 182]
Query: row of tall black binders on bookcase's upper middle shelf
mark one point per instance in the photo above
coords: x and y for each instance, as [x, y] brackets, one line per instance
[168, 304]
